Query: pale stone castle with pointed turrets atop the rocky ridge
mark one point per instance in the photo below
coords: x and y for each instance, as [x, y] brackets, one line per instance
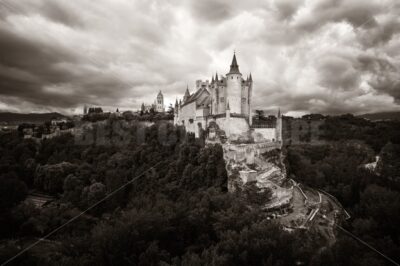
[222, 108]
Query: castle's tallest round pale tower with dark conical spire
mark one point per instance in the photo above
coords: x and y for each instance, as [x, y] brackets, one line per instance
[234, 87]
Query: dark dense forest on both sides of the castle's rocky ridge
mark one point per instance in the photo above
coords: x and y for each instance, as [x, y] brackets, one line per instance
[173, 207]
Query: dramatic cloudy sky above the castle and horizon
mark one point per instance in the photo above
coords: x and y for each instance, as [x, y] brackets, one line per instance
[305, 56]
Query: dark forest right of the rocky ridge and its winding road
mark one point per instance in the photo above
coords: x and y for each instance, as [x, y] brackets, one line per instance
[369, 192]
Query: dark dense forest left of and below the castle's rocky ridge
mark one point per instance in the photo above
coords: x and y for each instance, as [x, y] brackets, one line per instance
[176, 213]
